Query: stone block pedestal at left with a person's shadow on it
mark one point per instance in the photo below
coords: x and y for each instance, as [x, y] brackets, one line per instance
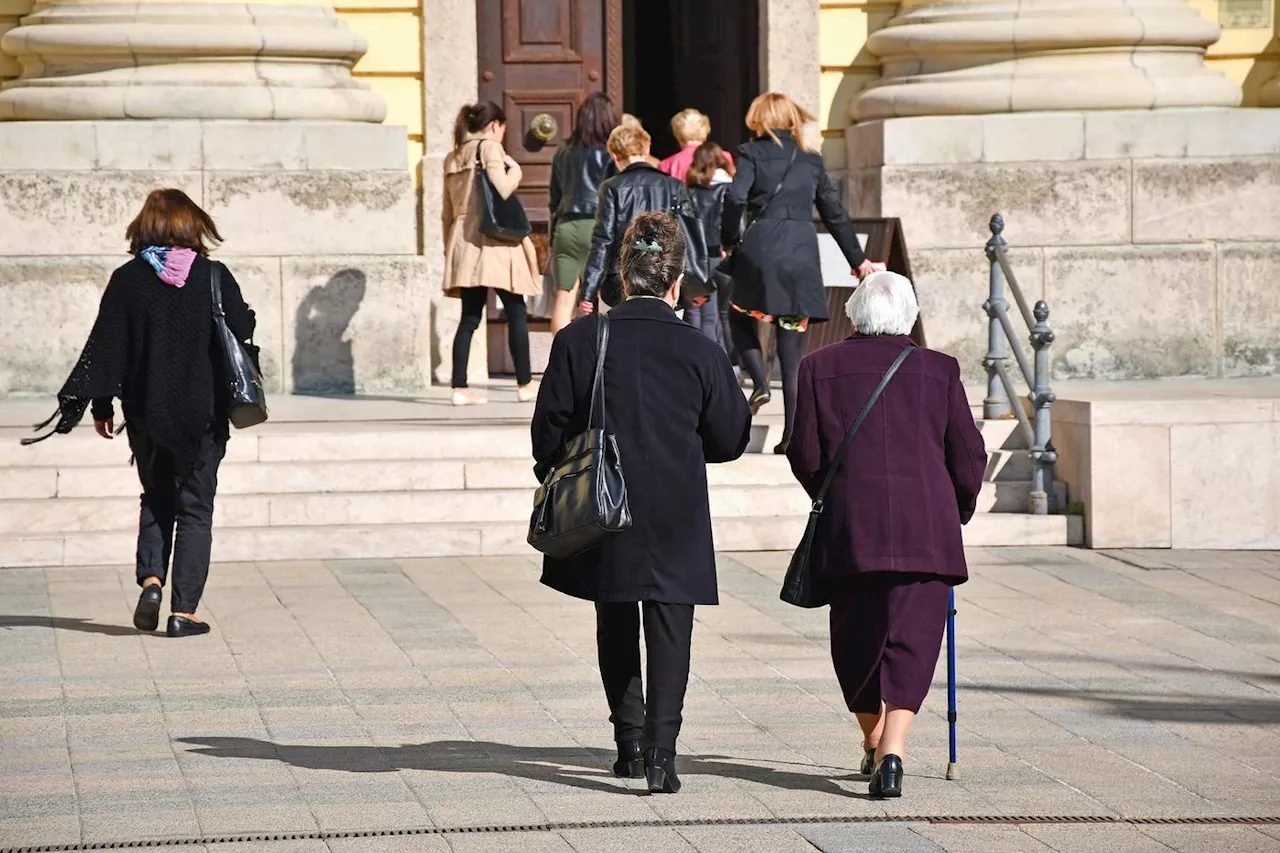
[321, 230]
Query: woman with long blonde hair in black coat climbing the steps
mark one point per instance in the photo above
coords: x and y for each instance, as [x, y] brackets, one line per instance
[778, 275]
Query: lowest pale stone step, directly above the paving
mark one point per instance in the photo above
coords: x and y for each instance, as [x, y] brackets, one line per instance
[442, 540]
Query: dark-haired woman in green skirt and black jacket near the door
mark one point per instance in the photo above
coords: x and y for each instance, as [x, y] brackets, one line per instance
[578, 172]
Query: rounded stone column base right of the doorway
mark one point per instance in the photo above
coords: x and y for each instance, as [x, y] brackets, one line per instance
[966, 57]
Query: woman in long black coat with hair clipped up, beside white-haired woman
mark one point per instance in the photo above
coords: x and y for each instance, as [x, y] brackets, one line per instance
[673, 405]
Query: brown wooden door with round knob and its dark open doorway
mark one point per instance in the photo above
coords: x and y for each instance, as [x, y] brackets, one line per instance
[540, 60]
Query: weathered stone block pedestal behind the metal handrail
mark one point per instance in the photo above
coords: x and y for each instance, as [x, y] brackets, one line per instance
[1155, 235]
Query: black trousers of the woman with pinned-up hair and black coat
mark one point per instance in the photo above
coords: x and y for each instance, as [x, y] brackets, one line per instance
[653, 717]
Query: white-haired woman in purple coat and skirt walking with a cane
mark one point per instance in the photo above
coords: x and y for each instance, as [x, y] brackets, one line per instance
[889, 548]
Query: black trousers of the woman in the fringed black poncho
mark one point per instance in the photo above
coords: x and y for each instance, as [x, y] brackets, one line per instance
[177, 516]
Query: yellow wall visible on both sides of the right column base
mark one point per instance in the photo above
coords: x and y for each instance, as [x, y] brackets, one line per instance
[1249, 57]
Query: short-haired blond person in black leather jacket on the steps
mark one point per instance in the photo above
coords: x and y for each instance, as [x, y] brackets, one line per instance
[638, 189]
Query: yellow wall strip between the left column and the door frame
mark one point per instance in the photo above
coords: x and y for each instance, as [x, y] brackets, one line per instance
[394, 66]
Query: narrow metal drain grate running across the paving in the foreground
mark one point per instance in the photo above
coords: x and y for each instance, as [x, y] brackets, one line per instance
[589, 825]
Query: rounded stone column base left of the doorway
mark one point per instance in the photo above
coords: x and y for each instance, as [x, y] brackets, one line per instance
[90, 60]
